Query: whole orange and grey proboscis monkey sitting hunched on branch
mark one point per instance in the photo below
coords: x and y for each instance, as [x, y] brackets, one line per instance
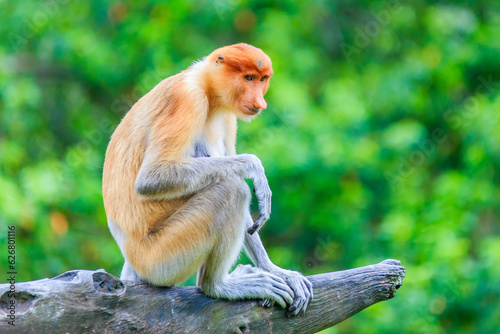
[174, 189]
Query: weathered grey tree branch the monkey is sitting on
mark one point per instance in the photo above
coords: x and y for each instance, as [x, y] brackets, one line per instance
[82, 301]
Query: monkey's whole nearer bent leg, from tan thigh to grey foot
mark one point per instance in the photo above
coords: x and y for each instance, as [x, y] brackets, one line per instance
[207, 232]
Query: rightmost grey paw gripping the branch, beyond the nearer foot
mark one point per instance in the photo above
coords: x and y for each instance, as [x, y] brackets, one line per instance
[300, 285]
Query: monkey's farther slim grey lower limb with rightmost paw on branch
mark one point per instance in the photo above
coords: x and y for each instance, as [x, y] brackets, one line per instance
[300, 285]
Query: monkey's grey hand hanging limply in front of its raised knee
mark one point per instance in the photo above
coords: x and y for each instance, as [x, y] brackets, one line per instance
[262, 192]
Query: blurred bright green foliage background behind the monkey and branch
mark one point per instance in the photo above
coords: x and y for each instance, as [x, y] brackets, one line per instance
[381, 140]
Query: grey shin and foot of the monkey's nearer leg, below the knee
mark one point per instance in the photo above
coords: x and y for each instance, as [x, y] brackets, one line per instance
[245, 282]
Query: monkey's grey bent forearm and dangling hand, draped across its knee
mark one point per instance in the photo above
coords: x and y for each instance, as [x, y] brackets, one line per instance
[167, 179]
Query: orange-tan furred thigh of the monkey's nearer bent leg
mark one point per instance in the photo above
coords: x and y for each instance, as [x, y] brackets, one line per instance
[175, 247]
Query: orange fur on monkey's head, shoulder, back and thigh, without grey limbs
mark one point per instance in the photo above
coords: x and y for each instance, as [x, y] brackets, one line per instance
[162, 127]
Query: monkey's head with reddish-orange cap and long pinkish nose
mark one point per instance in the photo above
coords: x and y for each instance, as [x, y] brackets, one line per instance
[241, 74]
